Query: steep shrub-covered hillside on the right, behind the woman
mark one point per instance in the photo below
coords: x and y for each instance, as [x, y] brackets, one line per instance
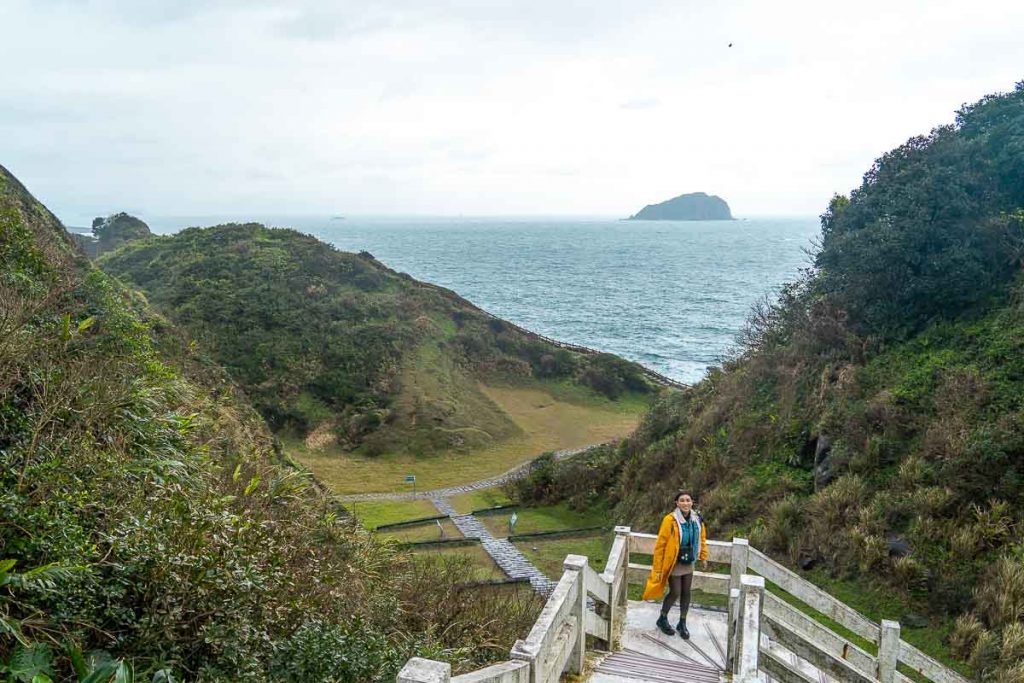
[874, 426]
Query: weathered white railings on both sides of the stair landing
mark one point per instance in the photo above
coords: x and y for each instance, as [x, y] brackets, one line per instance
[557, 644]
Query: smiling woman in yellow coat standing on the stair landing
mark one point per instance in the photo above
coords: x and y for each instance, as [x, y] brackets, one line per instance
[681, 541]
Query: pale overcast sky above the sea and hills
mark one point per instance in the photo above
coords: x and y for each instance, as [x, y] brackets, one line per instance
[477, 108]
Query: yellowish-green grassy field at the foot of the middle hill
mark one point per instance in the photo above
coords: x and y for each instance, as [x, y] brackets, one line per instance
[551, 416]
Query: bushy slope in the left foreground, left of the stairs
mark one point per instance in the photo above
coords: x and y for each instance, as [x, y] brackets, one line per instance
[147, 525]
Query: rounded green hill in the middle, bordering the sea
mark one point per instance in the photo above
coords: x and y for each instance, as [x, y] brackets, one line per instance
[338, 347]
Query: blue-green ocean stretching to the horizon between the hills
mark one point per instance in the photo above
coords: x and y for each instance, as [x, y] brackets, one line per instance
[670, 295]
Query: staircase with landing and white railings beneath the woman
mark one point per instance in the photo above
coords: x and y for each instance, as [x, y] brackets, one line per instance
[761, 638]
